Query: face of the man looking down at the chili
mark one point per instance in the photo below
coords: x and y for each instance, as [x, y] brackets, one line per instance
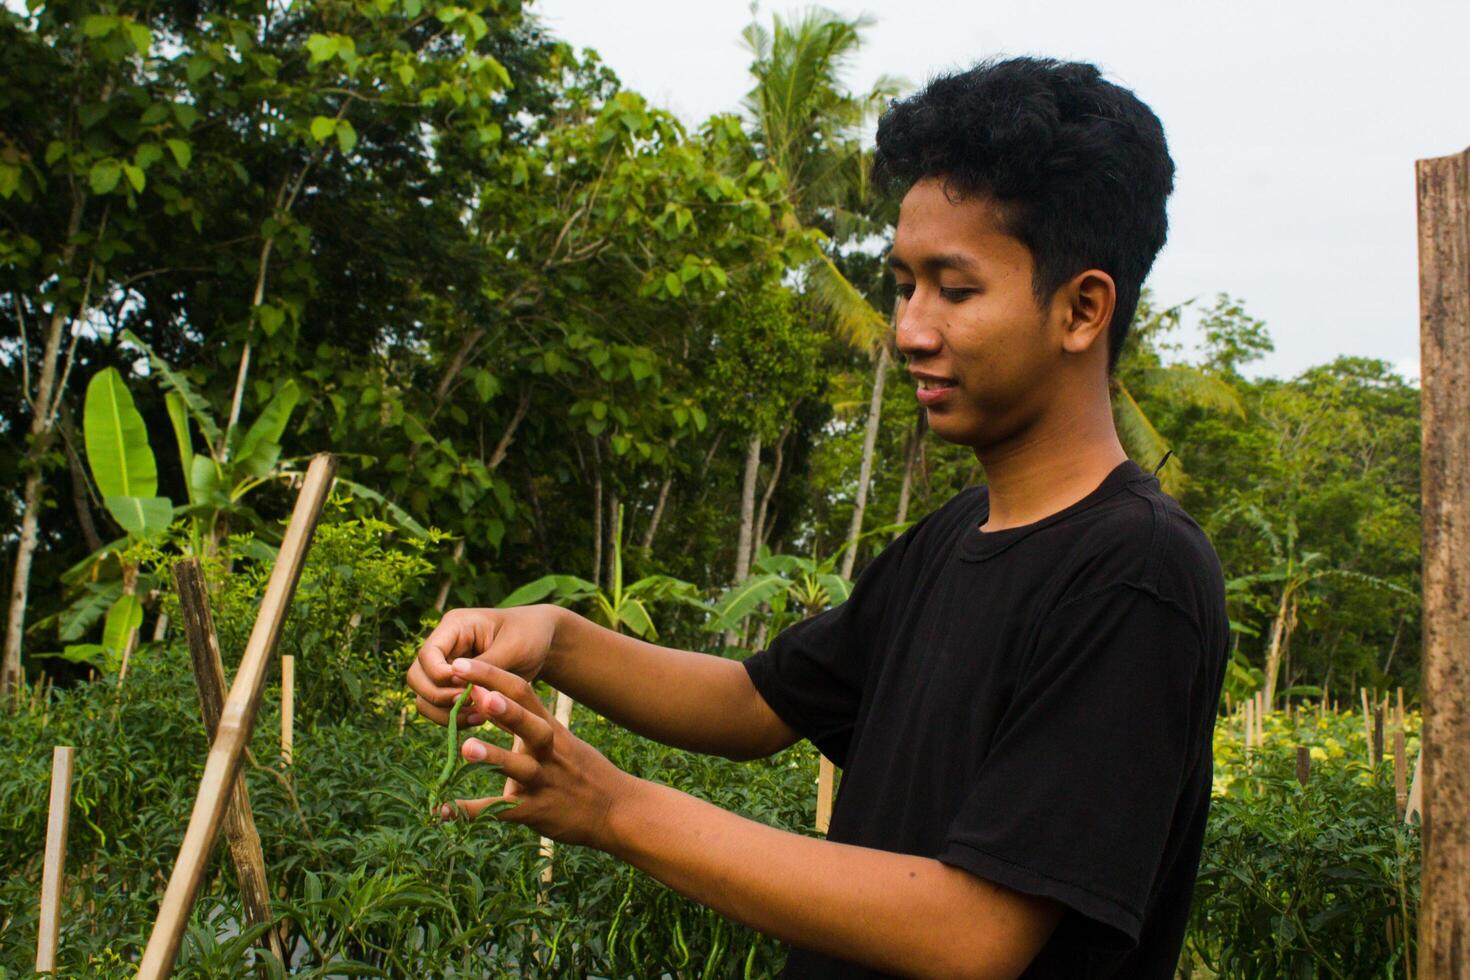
[983, 353]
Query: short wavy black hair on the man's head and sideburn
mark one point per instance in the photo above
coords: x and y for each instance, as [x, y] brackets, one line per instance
[1078, 167]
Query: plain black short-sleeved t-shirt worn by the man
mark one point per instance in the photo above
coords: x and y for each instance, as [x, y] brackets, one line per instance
[1033, 706]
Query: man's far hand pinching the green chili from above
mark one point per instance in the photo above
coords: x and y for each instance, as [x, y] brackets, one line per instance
[517, 640]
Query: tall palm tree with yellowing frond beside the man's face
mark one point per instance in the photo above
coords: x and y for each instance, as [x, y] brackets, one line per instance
[809, 130]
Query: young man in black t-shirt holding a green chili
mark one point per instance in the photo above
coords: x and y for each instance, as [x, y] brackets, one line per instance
[1022, 688]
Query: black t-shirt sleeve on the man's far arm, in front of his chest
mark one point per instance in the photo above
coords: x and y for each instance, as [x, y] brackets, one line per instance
[814, 674]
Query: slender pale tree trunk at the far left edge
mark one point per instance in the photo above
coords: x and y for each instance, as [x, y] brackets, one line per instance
[43, 428]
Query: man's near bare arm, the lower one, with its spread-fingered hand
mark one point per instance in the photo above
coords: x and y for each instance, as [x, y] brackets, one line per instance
[896, 913]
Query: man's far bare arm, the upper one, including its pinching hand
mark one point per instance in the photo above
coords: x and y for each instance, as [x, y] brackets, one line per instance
[683, 699]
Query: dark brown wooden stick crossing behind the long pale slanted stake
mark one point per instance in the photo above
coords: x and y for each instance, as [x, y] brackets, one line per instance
[209, 681]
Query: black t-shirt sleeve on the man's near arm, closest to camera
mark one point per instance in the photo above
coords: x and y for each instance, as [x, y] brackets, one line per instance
[1078, 793]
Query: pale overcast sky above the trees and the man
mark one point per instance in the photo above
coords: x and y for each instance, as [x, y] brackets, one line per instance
[1294, 127]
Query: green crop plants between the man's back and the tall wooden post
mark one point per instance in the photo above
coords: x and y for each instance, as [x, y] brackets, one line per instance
[1303, 881]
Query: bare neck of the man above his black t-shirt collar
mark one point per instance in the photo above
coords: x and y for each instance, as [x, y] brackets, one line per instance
[1050, 468]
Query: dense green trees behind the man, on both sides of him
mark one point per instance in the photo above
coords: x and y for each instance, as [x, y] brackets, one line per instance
[518, 299]
